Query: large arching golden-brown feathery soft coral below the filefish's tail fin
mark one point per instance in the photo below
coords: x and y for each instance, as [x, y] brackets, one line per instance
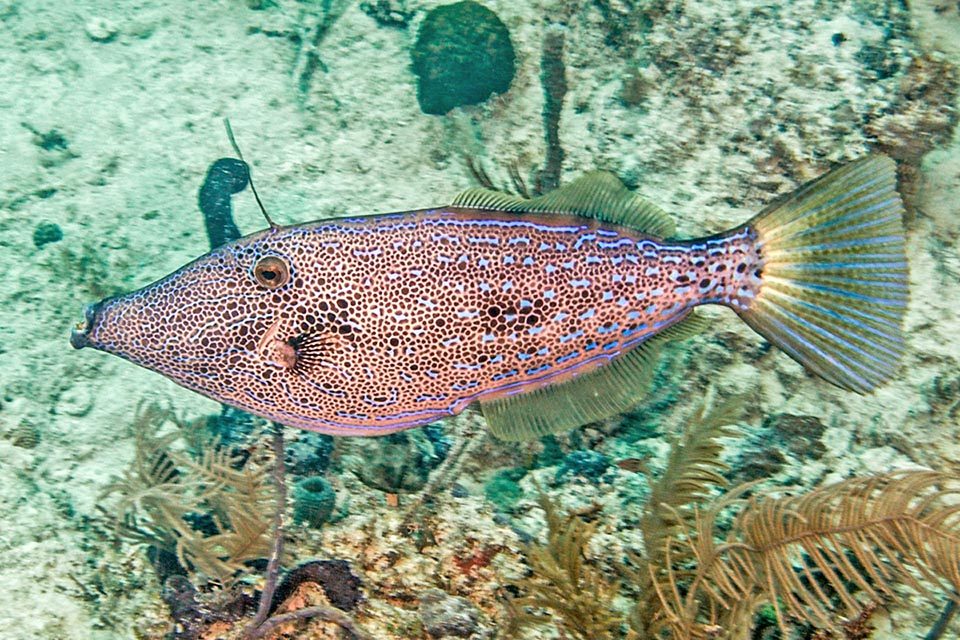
[819, 556]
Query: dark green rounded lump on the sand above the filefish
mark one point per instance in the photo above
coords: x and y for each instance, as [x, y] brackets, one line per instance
[463, 54]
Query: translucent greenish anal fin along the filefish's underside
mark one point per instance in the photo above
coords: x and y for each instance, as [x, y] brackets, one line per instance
[614, 388]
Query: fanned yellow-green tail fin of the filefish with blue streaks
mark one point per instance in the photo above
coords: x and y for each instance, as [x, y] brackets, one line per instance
[835, 280]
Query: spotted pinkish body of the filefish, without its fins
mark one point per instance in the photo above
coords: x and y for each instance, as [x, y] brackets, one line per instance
[389, 322]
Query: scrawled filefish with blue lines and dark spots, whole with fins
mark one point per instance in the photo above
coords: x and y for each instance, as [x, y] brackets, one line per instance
[546, 311]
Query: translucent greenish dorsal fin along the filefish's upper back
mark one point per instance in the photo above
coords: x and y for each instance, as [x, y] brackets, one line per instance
[597, 194]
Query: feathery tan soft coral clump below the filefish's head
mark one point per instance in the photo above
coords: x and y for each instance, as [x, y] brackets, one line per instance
[166, 494]
